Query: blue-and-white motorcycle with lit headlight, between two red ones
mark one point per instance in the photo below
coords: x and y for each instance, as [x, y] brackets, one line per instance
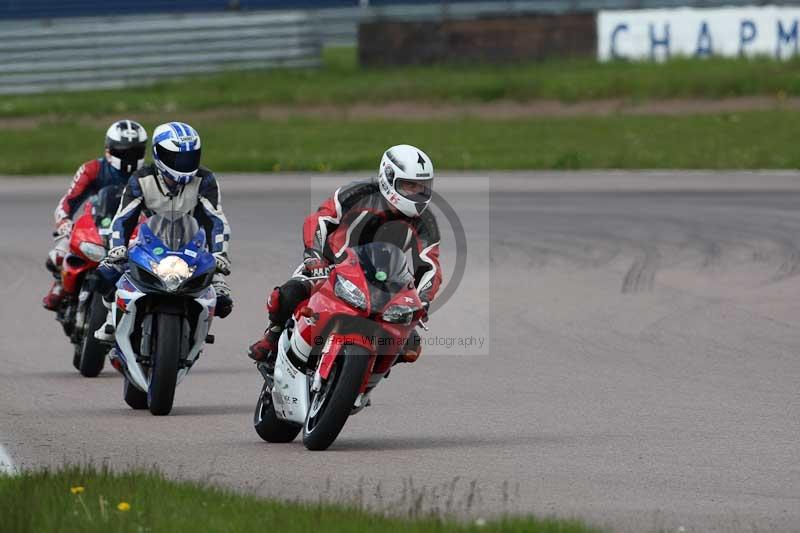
[163, 309]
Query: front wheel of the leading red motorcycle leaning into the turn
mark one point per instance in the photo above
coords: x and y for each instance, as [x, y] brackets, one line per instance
[332, 404]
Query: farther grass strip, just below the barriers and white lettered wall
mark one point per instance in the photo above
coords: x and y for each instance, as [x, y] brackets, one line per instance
[341, 81]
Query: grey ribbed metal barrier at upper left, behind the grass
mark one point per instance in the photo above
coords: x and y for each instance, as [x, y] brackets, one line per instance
[70, 54]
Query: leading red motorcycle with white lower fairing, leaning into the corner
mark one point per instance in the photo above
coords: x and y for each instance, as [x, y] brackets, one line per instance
[339, 344]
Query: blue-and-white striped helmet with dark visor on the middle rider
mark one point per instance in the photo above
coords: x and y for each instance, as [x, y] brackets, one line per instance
[176, 151]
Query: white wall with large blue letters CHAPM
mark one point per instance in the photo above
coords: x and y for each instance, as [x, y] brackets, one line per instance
[657, 34]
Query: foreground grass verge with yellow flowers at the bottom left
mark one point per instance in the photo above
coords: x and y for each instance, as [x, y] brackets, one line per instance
[46, 501]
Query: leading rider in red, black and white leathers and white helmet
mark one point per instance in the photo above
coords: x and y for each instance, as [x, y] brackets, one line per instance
[393, 207]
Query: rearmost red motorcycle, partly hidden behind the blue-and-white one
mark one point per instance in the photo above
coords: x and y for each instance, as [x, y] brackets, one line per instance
[82, 310]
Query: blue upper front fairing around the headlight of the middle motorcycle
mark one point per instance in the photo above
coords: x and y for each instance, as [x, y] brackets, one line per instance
[148, 248]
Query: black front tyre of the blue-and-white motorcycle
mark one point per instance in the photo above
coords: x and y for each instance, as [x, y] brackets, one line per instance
[171, 345]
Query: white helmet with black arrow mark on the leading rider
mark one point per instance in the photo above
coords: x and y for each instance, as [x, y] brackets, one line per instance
[406, 179]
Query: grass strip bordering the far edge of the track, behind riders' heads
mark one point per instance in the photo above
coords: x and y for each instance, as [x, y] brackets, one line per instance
[742, 140]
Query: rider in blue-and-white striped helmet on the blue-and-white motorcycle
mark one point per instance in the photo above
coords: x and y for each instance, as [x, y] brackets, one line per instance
[175, 181]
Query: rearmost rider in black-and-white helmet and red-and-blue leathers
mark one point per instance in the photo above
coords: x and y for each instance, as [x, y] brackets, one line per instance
[126, 143]
